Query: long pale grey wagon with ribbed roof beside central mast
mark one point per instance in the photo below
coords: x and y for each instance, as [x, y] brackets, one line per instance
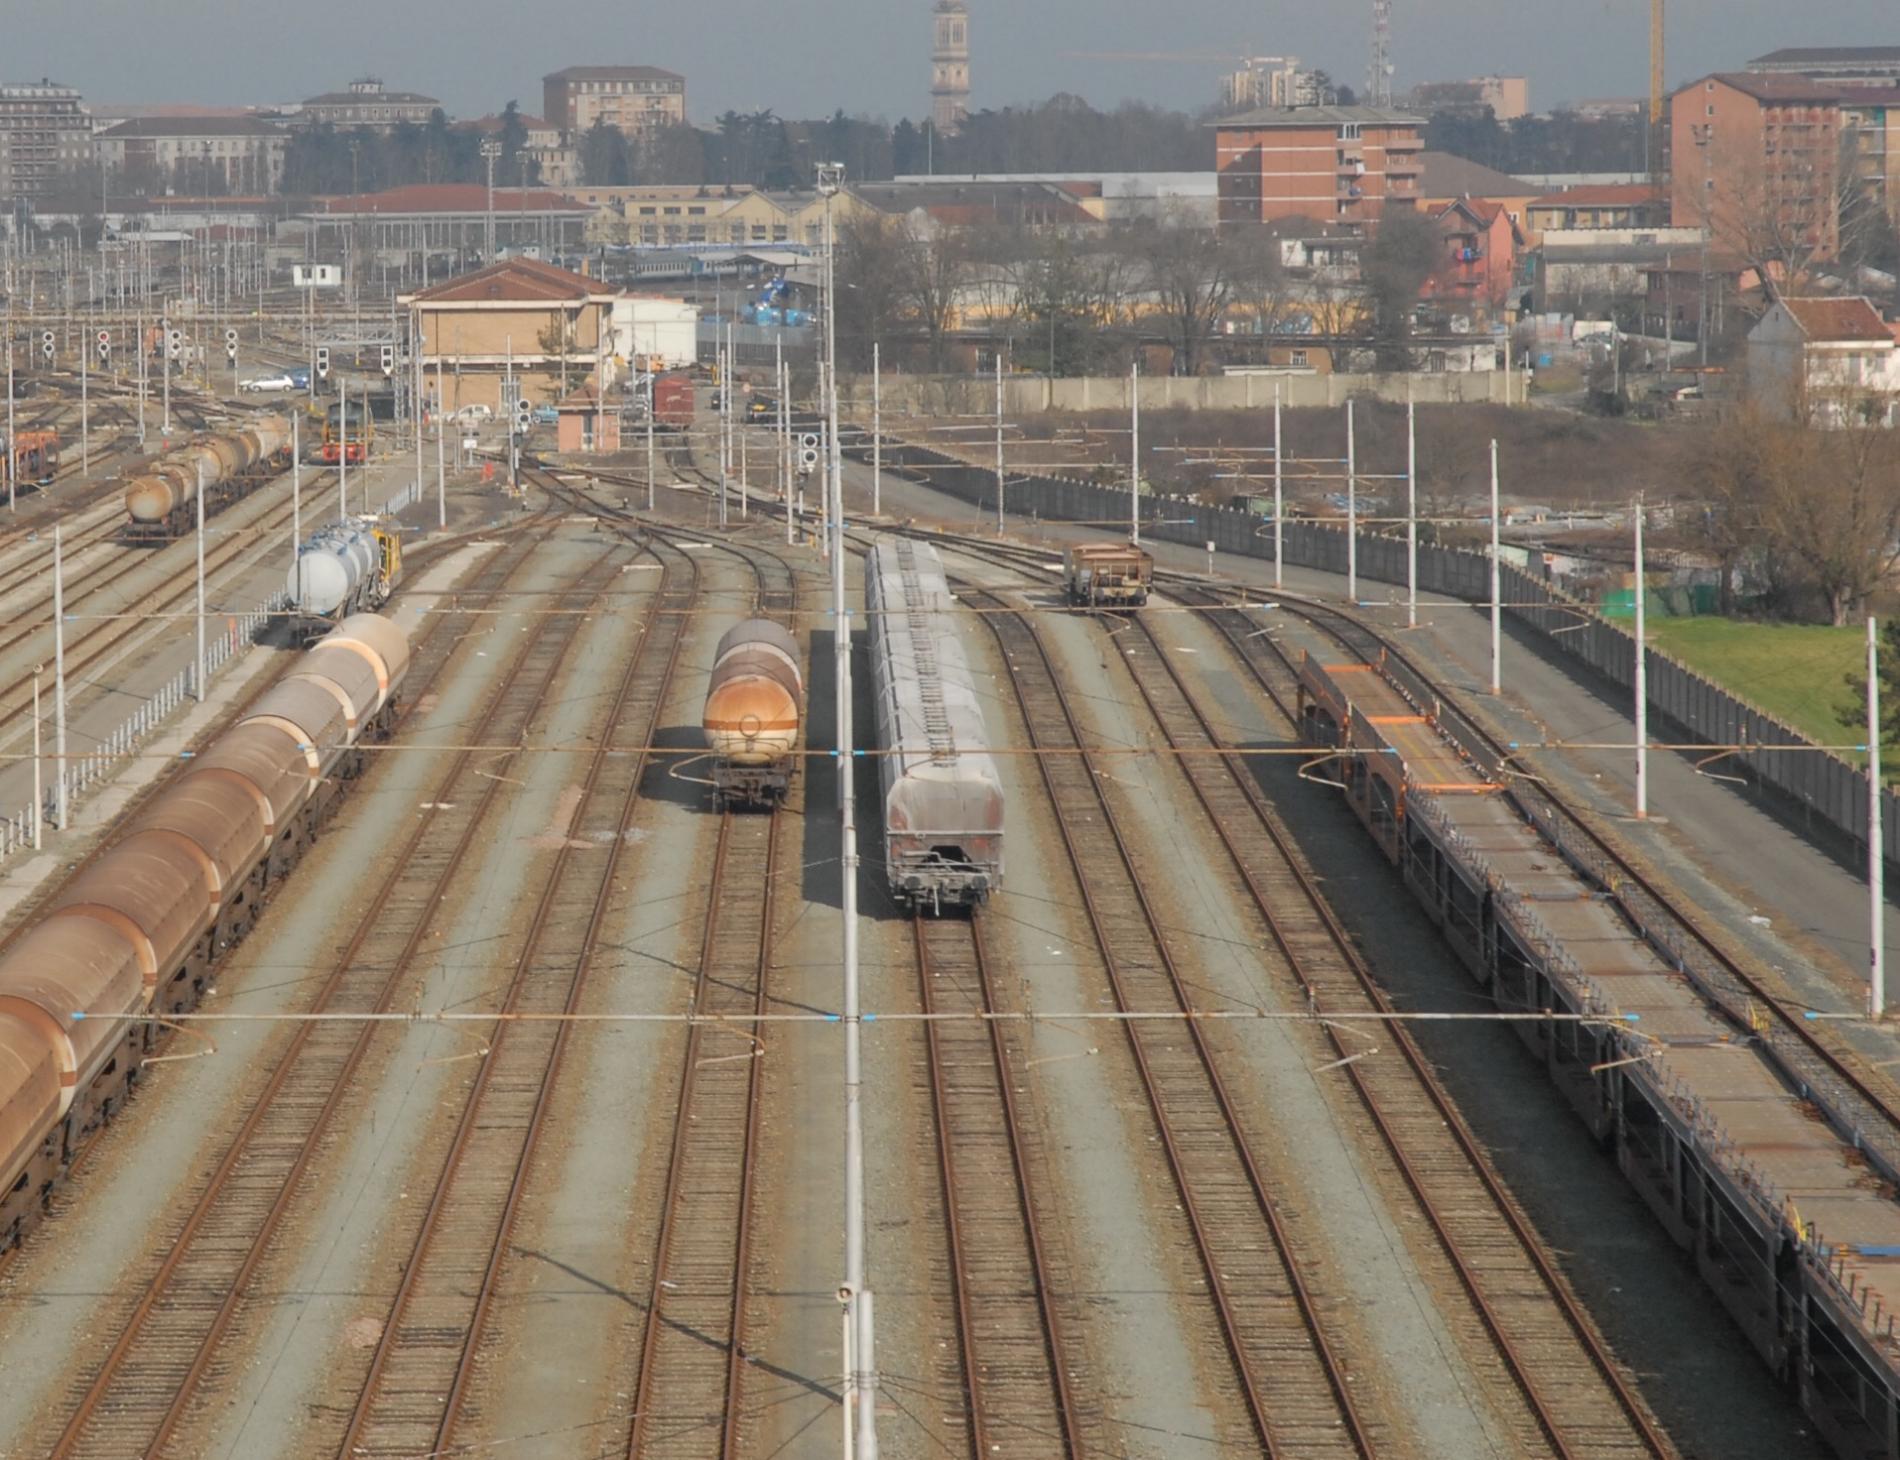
[943, 801]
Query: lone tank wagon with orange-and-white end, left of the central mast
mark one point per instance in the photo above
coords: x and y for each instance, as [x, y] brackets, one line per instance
[753, 712]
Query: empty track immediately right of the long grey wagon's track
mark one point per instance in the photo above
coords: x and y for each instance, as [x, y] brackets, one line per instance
[1282, 1337]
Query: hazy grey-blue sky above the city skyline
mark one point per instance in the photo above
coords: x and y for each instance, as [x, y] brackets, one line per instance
[871, 56]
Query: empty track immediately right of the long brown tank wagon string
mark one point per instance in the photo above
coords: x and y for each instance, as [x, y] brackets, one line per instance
[172, 1341]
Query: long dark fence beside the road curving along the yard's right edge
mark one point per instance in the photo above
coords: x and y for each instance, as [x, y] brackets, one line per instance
[1827, 790]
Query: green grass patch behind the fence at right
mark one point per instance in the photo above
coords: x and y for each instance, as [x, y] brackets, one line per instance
[1795, 672]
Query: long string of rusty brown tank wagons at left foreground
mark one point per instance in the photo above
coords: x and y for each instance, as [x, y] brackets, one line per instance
[140, 929]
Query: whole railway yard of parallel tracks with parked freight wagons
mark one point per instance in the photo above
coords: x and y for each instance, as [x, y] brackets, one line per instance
[1253, 1062]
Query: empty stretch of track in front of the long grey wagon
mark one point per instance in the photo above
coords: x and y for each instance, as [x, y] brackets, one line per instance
[1019, 1372]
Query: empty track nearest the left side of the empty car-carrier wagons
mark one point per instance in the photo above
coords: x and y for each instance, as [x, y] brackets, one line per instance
[1572, 1400]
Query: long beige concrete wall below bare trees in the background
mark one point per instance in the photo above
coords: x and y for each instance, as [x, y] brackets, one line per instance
[1031, 394]
